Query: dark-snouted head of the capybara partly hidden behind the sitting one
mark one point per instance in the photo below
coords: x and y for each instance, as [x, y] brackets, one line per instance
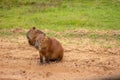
[32, 34]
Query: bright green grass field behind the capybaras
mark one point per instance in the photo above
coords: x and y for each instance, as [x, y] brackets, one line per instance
[60, 15]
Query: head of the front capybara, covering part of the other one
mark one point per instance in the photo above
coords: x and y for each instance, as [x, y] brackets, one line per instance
[41, 41]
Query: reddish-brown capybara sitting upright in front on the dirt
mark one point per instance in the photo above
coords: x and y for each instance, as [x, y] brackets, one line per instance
[49, 48]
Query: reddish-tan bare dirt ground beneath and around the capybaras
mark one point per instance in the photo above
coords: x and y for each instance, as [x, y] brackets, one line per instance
[83, 60]
